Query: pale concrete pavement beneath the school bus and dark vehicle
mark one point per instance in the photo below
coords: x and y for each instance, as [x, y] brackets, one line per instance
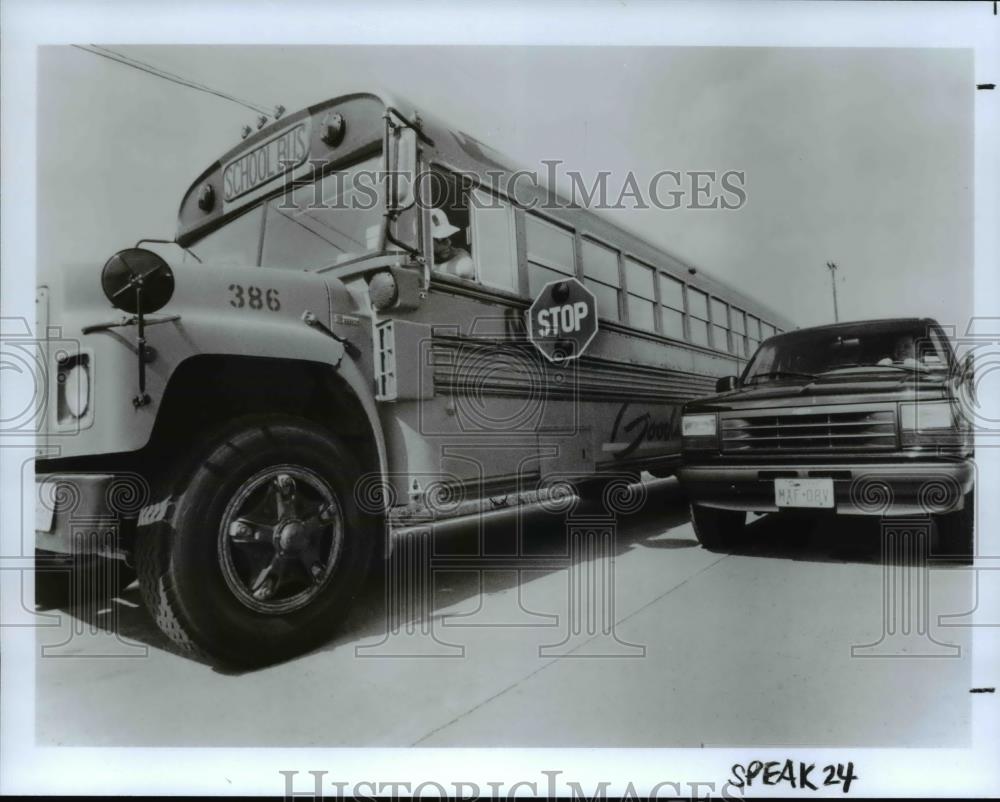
[647, 641]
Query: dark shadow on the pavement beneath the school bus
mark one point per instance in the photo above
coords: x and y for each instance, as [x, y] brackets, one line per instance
[532, 536]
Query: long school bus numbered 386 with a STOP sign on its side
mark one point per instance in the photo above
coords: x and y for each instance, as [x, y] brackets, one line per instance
[336, 348]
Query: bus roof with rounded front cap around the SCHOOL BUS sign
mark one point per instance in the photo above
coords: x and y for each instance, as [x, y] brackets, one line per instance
[450, 147]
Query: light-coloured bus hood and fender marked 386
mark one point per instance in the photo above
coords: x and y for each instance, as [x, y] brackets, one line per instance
[221, 310]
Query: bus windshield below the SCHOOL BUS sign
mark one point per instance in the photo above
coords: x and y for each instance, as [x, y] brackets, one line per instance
[316, 225]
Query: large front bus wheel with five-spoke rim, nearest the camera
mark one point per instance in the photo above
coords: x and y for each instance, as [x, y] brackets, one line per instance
[265, 548]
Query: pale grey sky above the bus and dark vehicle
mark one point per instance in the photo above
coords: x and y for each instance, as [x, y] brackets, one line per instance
[859, 156]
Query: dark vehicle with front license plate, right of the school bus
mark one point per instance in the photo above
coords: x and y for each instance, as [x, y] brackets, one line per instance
[861, 418]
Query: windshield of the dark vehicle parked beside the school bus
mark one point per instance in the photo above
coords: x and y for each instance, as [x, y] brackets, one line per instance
[806, 355]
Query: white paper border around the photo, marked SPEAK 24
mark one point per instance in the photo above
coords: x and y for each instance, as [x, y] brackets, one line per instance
[27, 769]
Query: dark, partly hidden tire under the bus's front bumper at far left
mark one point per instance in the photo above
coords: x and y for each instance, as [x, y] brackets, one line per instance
[66, 581]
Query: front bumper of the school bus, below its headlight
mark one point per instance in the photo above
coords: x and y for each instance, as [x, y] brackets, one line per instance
[86, 513]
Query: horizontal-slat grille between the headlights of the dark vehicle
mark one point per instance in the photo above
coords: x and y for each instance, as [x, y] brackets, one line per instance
[859, 430]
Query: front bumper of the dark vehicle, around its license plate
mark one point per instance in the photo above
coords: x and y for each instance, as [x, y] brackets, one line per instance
[859, 489]
